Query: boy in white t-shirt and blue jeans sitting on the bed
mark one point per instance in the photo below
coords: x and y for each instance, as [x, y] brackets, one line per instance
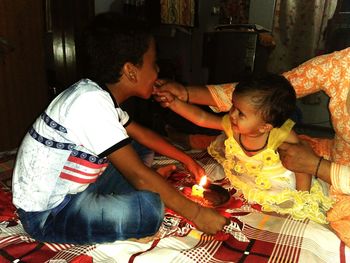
[77, 178]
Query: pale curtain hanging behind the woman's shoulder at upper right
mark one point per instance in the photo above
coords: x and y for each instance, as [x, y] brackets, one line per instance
[298, 31]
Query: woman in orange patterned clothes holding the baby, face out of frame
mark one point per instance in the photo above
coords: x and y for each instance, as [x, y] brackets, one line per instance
[328, 159]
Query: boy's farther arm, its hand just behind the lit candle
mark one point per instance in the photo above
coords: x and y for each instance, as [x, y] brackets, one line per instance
[157, 143]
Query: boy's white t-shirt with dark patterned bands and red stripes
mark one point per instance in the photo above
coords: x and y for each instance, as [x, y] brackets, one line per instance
[66, 148]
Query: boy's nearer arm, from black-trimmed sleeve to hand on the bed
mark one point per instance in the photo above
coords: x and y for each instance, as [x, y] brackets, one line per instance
[142, 177]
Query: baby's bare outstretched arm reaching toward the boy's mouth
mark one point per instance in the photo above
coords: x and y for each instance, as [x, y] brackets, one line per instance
[191, 112]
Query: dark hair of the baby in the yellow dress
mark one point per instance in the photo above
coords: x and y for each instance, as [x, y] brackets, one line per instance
[272, 95]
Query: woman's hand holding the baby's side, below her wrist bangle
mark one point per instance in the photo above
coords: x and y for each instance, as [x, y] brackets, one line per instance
[298, 157]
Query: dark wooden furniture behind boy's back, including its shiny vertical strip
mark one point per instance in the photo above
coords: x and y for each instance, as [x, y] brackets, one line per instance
[39, 47]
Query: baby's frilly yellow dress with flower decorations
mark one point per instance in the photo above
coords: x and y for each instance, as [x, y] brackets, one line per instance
[262, 178]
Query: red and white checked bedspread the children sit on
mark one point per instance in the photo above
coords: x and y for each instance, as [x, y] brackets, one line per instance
[252, 236]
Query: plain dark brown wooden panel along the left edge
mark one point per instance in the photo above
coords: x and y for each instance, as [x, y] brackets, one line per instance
[23, 84]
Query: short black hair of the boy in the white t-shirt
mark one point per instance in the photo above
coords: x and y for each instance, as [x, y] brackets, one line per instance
[112, 40]
